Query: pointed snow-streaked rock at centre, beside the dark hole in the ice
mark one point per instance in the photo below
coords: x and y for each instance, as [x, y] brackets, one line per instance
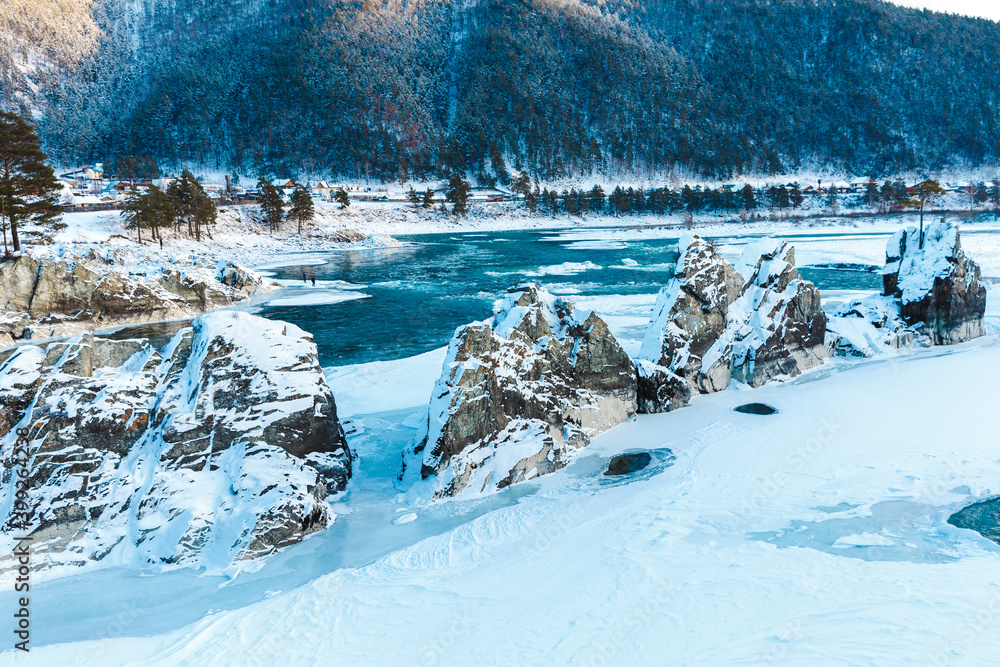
[519, 394]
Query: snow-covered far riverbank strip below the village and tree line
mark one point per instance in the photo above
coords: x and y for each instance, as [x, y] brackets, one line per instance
[240, 237]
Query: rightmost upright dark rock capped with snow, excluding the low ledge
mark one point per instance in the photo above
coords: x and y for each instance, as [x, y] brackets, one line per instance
[940, 290]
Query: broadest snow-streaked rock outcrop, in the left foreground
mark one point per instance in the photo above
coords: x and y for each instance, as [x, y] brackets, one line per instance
[223, 446]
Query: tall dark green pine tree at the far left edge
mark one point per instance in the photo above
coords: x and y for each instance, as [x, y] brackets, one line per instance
[28, 186]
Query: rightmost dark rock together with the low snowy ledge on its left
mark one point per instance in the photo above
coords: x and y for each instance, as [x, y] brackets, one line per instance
[933, 295]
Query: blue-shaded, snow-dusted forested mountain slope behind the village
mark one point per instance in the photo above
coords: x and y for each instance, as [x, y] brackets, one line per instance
[414, 88]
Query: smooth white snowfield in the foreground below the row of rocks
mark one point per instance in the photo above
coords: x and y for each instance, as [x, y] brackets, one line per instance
[814, 536]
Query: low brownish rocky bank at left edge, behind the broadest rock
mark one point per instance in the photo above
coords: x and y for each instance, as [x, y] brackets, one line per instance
[61, 293]
